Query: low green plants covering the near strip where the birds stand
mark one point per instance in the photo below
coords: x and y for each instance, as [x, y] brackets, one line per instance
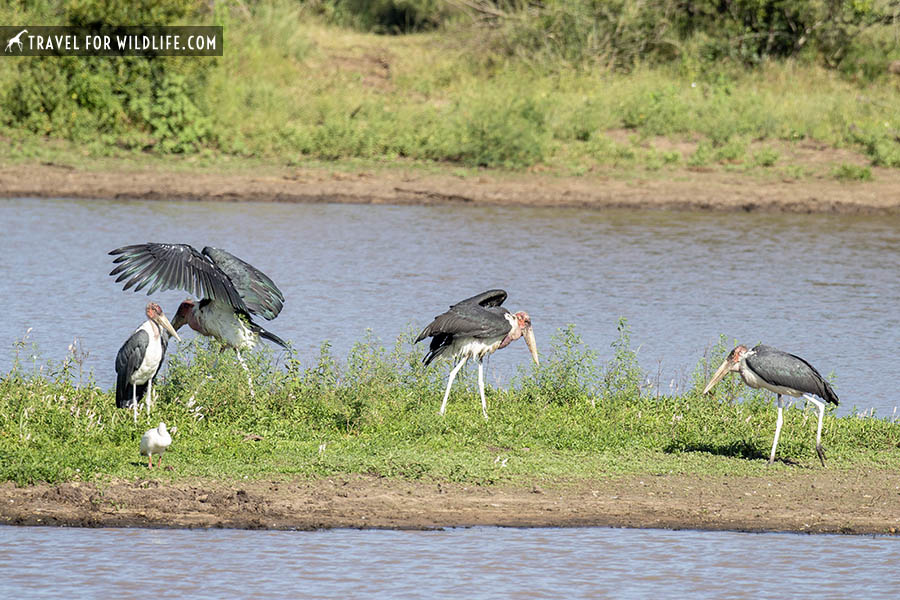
[577, 416]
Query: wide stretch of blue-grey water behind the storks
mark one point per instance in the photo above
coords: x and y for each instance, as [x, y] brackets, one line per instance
[824, 287]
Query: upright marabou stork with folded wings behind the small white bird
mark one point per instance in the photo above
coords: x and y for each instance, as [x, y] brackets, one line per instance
[140, 358]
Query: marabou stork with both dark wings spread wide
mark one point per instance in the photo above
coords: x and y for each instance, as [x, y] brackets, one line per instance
[231, 289]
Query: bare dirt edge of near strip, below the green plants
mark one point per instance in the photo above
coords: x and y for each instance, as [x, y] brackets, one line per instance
[810, 501]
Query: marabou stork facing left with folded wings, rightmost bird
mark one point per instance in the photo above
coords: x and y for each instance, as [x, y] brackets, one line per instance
[782, 373]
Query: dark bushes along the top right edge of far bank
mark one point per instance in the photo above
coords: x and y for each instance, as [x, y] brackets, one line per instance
[622, 34]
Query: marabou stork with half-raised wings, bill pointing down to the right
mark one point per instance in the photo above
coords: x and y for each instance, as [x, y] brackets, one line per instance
[474, 328]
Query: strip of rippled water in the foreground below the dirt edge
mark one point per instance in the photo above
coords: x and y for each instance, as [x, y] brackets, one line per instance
[477, 563]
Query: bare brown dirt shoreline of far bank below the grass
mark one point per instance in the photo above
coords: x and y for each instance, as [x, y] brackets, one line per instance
[685, 189]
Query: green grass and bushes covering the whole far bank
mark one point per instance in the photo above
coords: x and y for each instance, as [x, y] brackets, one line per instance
[574, 85]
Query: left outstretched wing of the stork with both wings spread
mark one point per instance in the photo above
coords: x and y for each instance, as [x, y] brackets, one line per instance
[174, 266]
